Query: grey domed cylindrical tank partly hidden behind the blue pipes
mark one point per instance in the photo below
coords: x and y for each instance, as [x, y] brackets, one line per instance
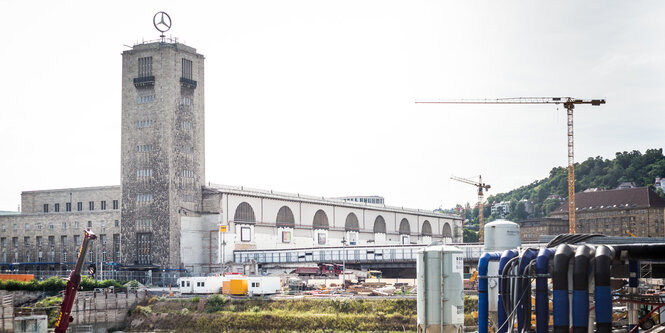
[500, 235]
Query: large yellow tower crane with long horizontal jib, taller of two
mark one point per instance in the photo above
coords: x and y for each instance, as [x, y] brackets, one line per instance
[568, 103]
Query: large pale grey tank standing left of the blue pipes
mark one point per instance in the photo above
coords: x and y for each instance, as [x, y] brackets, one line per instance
[440, 290]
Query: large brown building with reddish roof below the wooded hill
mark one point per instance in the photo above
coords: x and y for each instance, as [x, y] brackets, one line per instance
[639, 211]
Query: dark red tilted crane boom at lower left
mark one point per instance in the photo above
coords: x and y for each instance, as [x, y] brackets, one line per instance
[64, 318]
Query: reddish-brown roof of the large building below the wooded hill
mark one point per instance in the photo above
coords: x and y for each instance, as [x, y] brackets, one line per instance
[627, 198]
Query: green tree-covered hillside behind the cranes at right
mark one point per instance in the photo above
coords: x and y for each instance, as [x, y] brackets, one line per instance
[595, 172]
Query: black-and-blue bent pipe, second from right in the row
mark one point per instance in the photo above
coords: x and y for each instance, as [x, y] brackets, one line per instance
[581, 289]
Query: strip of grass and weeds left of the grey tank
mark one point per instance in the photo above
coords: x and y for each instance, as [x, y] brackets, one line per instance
[223, 314]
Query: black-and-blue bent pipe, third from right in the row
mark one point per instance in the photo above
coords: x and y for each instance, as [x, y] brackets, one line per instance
[562, 256]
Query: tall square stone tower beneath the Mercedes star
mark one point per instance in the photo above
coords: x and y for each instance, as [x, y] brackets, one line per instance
[162, 150]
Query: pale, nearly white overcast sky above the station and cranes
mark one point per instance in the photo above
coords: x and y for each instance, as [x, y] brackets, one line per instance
[317, 97]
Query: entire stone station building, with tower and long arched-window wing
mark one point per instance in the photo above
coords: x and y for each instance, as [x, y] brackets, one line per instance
[164, 216]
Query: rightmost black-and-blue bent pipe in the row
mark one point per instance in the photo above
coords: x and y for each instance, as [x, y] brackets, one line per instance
[602, 290]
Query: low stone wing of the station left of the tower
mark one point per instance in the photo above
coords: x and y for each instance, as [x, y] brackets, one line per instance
[49, 228]
